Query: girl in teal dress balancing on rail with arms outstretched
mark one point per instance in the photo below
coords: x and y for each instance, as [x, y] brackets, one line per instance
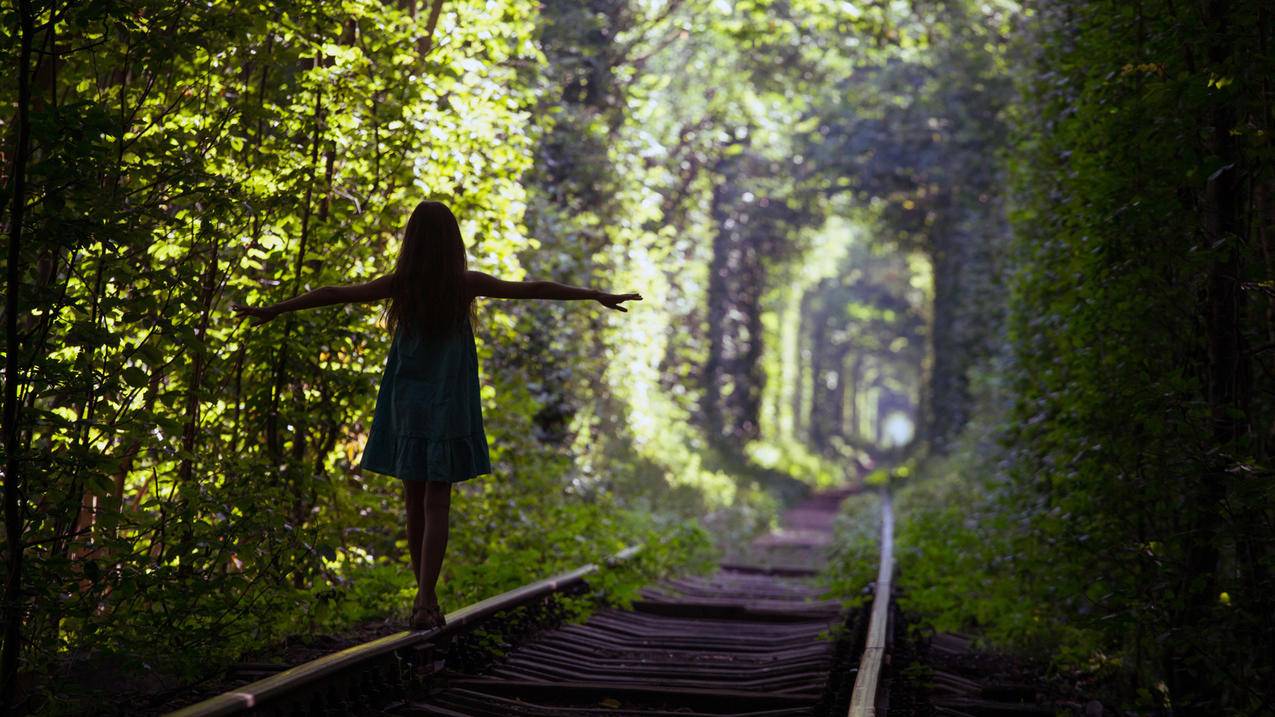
[428, 427]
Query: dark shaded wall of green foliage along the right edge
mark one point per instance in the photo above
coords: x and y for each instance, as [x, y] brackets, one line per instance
[1140, 420]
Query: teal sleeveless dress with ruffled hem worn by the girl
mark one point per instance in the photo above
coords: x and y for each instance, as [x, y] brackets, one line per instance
[428, 425]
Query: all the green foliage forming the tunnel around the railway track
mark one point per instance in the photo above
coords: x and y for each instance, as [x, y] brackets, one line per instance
[812, 197]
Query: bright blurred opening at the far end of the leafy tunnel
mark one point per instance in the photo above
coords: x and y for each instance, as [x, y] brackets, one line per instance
[847, 327]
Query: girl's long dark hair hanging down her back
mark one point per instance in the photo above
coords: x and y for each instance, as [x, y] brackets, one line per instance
[429, 294]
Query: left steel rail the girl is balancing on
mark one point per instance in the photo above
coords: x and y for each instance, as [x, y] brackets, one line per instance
[312, 674]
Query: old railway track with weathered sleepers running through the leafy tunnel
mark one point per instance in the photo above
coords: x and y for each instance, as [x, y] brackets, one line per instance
[750, 641]
